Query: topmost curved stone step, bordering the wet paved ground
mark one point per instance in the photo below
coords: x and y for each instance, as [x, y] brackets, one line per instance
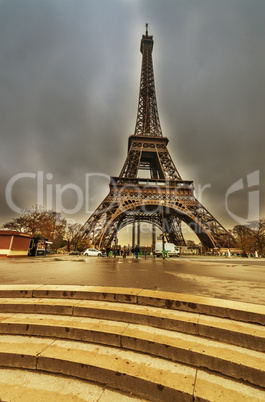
[239, 311]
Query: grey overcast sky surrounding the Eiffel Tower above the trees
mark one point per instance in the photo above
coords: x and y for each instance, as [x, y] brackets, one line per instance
[69, 85]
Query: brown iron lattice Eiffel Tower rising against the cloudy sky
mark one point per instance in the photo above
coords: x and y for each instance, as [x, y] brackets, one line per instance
[163, 199]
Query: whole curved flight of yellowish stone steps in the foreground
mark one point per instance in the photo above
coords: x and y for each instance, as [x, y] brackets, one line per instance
[84, 343]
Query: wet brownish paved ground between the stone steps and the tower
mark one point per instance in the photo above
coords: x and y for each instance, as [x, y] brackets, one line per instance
[225, 278]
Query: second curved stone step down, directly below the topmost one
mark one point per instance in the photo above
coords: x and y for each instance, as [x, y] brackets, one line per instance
[230, 331]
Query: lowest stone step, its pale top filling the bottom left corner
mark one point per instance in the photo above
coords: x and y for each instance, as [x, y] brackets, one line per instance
[32, 385]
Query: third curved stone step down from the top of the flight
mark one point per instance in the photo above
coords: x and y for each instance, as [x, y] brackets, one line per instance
[232, 361]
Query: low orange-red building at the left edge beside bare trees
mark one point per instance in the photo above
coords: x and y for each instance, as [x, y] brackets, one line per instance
[14, 244]
